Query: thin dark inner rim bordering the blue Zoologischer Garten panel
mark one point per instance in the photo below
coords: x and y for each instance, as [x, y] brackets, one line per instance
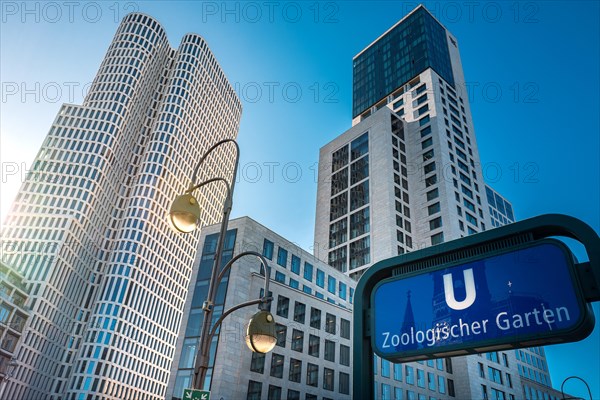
[580, 329]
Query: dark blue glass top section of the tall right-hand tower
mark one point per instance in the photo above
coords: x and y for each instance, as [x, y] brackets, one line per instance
[416, 44]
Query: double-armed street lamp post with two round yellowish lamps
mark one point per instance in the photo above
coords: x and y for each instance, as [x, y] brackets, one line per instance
[184, 216]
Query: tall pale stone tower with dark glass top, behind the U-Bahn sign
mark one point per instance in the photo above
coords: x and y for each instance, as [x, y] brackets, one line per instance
[405, 176]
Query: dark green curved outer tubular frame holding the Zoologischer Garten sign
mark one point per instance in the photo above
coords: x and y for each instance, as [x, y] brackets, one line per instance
[508, 236]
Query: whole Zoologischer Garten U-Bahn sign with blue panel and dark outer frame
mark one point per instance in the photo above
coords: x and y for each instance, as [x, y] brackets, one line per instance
[508, 287]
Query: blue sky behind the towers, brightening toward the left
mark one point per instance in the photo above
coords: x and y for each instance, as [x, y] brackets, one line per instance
[532, 70]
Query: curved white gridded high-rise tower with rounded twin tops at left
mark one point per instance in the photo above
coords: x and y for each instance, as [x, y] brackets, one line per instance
[107, 276]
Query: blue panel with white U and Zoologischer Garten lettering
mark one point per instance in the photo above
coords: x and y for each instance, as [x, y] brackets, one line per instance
[525, 295]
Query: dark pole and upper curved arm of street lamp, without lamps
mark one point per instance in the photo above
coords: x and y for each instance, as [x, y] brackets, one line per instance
[203, 355]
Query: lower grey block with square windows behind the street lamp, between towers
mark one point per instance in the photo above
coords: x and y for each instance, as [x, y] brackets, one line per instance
[312, 306]
